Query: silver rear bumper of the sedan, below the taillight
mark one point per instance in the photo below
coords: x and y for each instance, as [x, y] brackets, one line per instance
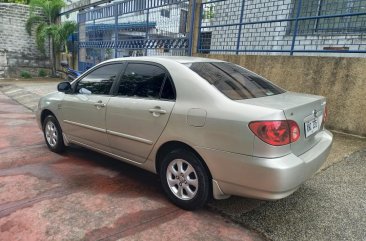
[265, 178]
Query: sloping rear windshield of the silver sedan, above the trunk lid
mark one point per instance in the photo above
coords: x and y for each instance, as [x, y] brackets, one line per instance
[234, 81]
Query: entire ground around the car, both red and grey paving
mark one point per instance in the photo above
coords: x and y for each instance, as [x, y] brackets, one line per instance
[85, 195]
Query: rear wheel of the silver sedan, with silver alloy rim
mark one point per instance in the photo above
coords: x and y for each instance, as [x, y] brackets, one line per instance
[184, 179]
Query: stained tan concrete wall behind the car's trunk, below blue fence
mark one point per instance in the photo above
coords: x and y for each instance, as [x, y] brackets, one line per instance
[341, 80]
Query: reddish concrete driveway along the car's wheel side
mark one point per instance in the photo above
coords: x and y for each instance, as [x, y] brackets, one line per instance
[82, 195]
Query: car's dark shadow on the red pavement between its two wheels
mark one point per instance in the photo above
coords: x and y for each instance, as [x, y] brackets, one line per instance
[87, 170]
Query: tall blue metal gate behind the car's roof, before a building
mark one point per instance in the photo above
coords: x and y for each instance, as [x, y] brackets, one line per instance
[134, 28]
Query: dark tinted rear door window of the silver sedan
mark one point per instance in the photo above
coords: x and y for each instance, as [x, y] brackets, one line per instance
[142, 80]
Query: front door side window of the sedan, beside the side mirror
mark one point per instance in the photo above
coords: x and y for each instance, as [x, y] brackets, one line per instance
[99, 81]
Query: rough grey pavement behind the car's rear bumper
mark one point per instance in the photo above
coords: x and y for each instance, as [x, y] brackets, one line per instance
[330, 206]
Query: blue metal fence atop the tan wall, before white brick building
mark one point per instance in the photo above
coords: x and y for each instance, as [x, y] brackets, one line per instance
[282, 26]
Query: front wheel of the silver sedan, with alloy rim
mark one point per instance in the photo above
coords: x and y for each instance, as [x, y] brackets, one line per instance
[53, 134]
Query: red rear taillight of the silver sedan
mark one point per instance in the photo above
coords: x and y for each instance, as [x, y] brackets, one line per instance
[276, 133]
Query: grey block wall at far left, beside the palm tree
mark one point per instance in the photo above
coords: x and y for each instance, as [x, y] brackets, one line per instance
[18, 50]
